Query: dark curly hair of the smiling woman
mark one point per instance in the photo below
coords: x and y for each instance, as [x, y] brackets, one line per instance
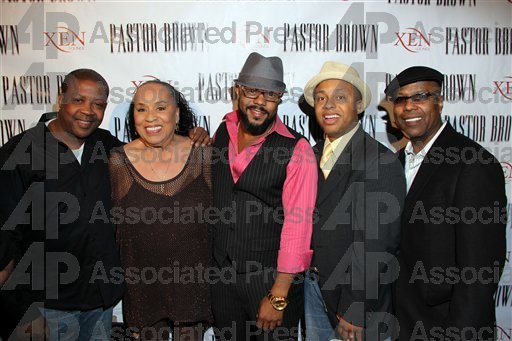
[187, 117]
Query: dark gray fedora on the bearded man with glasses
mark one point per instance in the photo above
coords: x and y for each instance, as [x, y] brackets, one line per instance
[265, 73]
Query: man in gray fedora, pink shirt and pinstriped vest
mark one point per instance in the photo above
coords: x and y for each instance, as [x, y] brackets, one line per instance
[266, 173]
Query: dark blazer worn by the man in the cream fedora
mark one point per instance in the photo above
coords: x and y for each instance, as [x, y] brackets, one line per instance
[356, 235]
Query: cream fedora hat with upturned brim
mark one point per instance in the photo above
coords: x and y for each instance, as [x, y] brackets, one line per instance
[335, 70]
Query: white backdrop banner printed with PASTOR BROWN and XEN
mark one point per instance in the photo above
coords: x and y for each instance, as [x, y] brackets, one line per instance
[200, 47]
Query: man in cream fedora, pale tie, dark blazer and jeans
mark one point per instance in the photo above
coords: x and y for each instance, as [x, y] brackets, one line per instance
[361, 189]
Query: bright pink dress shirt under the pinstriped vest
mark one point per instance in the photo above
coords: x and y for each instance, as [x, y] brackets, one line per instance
[299, 193]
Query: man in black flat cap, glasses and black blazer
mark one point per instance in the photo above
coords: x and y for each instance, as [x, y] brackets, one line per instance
[453, 225]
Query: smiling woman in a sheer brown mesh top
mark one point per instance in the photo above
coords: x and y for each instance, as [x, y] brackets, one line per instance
[161, 188]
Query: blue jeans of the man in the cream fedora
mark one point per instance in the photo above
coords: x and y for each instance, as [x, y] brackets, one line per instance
[318, 326]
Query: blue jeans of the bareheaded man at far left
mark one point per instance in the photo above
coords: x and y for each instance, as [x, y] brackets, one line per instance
[79, 325]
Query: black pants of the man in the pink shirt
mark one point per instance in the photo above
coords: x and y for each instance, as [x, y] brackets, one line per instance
[236, 299]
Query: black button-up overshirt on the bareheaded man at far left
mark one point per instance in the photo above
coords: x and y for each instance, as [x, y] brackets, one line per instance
[54, 218]
